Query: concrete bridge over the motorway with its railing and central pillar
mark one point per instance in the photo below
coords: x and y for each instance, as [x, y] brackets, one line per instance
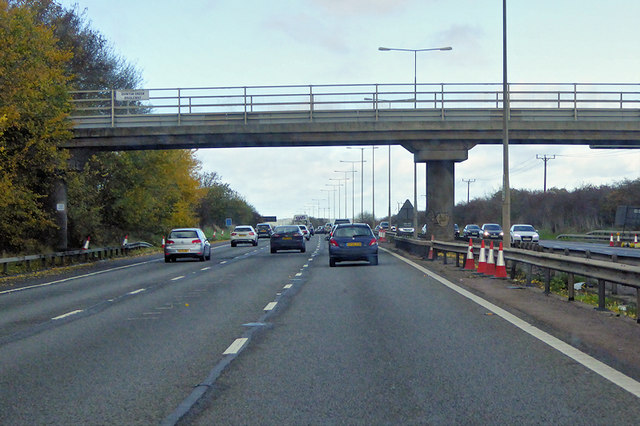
[438, 123]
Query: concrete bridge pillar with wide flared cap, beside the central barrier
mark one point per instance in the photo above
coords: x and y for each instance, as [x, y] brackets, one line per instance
[440, 177]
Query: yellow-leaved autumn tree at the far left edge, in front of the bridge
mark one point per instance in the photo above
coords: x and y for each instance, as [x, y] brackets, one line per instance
[34, 105]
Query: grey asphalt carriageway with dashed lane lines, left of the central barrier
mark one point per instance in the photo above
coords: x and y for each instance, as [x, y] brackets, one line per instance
[130, 342]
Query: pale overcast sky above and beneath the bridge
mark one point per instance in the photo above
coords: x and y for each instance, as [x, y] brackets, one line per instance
[207, 43]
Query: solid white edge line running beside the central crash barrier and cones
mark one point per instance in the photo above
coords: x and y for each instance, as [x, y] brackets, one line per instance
[598, 367]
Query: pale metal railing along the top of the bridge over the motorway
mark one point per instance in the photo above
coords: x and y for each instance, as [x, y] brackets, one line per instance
[442, 101]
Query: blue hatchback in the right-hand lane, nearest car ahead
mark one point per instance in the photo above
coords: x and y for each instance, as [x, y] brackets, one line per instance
[353, 241]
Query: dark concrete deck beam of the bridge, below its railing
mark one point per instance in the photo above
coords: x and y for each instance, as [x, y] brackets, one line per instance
[414, 136]
